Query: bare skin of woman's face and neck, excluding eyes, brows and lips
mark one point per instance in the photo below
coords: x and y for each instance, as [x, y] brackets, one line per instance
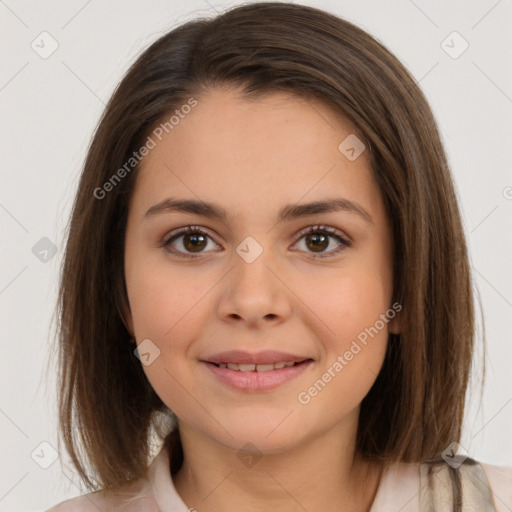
[252, 157]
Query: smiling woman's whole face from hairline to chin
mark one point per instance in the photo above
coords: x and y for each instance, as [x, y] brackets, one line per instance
[316, 287]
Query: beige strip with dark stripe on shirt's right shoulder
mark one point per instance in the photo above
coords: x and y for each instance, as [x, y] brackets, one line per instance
[440, 484]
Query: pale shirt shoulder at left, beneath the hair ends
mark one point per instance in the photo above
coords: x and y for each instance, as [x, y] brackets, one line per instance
[136, 497]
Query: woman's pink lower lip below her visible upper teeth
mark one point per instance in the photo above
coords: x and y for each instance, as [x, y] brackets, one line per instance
[257, 381]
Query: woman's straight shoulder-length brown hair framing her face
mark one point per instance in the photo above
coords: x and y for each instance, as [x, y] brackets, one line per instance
[415, 408]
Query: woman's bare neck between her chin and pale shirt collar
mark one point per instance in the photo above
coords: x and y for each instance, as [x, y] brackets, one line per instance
[318, 474]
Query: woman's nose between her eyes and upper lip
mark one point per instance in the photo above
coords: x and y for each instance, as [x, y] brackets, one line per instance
[255, 292]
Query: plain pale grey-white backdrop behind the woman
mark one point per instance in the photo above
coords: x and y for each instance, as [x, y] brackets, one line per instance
[50, 106]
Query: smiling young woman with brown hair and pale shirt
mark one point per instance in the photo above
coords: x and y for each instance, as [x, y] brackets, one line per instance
[266, 275]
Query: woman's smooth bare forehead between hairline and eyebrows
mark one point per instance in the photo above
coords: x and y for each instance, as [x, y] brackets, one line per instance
[248, 153]
